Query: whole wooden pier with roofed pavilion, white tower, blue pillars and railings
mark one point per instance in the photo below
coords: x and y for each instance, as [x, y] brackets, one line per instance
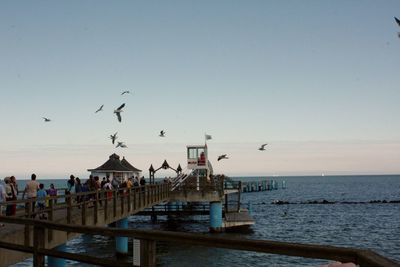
[106, 212]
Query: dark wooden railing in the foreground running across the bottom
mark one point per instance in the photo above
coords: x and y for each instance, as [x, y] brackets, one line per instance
[148, 239]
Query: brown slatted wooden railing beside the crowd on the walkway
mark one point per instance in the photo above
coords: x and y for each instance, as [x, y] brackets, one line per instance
[121, 200]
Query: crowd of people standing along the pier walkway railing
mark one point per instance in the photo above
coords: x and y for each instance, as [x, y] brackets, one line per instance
[39, 196]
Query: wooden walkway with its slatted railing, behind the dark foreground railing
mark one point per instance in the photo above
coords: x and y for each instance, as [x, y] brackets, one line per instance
[91, 208]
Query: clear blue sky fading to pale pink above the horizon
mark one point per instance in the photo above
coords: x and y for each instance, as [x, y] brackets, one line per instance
[316, 80]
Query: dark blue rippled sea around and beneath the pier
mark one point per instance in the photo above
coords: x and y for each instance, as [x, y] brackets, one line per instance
[360, 211]
